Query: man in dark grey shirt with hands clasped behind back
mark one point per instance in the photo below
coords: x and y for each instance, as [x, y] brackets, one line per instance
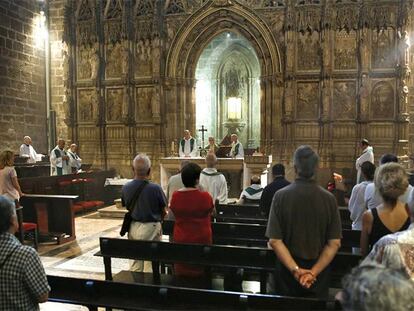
[304, 230]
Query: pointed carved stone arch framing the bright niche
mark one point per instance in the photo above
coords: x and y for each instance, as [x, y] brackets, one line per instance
[179, 94]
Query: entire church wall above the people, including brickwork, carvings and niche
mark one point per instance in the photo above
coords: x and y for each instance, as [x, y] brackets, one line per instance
[120, 77]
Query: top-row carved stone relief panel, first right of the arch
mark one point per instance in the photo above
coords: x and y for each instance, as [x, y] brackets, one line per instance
[308, 50]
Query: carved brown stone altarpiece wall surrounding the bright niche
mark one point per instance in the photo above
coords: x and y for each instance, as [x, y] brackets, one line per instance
[331, 72]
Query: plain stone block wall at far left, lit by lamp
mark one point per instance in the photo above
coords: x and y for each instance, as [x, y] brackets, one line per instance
[22, 76]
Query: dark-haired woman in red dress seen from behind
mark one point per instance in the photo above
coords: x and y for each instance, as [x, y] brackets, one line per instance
[192, 209]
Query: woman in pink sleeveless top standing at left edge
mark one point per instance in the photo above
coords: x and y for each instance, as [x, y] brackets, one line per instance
[9, 185]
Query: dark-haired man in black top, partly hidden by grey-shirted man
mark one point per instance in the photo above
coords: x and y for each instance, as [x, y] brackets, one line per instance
[279, 182]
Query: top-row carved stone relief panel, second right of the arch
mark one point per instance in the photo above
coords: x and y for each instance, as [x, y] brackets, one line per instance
[345, 50]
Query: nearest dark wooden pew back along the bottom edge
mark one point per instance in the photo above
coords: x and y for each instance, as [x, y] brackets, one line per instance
[94, 294]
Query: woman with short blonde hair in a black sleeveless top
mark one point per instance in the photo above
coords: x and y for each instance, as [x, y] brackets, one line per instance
[391, 216]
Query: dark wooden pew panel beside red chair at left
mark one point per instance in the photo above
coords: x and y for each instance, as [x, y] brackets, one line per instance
[53, 215]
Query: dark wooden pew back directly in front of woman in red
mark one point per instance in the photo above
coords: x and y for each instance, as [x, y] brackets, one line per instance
[253, 234]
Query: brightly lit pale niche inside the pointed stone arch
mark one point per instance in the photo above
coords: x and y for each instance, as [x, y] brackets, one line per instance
[228, 89]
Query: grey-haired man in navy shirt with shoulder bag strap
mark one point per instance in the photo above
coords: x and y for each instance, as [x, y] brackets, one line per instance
[148, 211]
